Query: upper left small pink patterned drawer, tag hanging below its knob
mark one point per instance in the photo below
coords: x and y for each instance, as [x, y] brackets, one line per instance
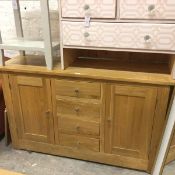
[95, 8]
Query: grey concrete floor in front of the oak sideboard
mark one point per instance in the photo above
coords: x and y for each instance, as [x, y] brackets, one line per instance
[42, 164]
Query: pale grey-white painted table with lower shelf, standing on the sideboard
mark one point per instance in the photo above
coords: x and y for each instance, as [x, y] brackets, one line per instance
[20, 44]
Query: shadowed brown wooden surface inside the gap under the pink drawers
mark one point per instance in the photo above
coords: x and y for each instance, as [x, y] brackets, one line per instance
[159, 68]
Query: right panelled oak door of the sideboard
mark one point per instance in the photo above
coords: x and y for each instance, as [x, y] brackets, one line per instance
[129, 120]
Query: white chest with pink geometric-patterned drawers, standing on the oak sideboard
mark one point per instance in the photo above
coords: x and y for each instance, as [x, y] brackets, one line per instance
[118, 25]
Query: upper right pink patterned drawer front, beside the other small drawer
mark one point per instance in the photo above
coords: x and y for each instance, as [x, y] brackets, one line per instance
[147, 9]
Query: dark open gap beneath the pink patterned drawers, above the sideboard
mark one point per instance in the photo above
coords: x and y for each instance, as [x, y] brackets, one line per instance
[119, 61]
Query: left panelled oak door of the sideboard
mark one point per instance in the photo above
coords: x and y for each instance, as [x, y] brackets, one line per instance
[32, 103]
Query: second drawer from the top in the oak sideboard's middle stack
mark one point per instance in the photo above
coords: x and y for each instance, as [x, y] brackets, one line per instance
[78, 109]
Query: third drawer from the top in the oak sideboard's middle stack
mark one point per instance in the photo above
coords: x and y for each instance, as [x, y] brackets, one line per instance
[77, 126]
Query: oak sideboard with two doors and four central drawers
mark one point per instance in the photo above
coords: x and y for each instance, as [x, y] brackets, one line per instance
[109, 116]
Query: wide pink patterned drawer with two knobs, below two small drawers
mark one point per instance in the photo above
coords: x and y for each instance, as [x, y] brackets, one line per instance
[120, 35]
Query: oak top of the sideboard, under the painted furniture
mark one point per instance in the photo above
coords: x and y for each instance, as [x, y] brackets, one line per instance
[96, 73]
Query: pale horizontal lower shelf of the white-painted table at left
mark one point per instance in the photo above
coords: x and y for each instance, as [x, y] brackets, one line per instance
[26, 45]
